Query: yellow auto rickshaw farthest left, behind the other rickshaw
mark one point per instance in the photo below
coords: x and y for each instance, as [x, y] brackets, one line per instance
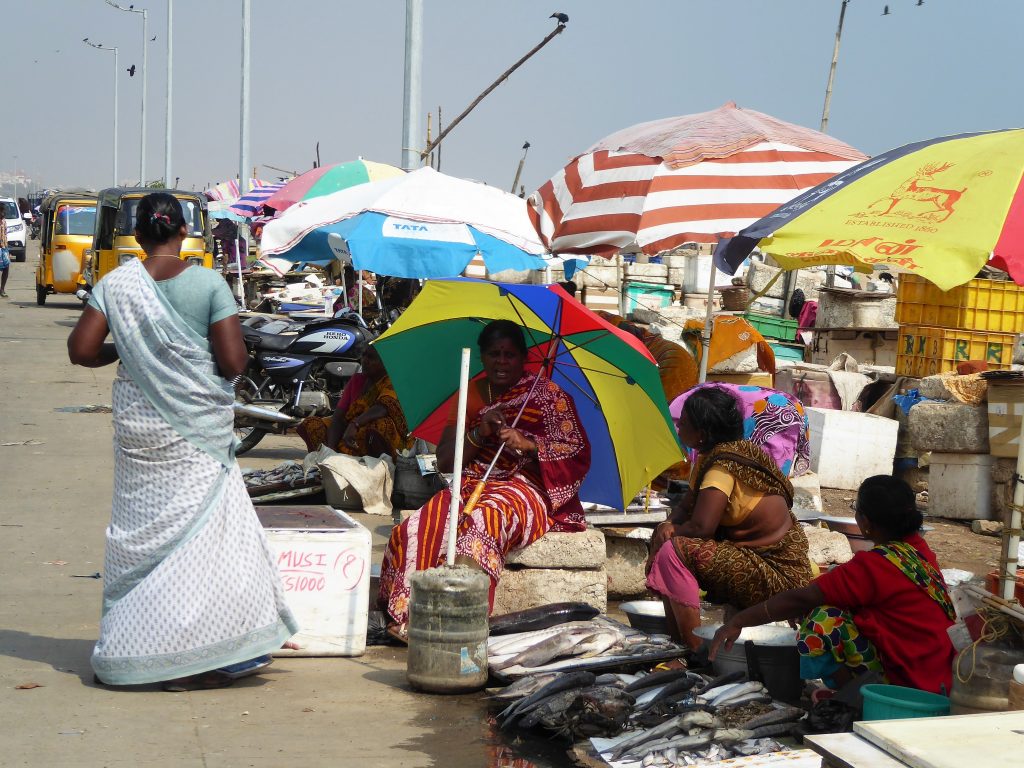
[67, 224]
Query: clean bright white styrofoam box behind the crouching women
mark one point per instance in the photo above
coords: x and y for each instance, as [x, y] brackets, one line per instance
[848, 447]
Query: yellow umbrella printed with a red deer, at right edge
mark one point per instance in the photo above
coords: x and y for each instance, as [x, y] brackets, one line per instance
[943, 209]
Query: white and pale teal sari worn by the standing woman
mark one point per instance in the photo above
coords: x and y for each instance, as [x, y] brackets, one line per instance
[190, 582]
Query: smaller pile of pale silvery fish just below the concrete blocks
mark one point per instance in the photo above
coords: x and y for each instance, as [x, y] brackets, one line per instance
[574, 646]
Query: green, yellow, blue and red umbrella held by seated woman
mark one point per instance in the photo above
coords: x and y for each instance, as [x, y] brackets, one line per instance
[611, 376]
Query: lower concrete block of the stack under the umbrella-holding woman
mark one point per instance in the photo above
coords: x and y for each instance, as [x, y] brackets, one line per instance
[520, 589]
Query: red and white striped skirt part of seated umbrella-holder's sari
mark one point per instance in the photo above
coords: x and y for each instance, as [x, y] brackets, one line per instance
[511, 515]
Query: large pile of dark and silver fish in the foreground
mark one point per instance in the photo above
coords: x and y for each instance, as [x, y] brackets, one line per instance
[674, 718]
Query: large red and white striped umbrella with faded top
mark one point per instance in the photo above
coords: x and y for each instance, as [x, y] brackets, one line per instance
[689, 180]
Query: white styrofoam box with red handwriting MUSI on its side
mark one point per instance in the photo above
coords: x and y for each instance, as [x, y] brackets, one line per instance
[324, 558]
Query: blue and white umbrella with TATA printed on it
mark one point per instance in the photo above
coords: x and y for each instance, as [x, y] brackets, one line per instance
[422, 225]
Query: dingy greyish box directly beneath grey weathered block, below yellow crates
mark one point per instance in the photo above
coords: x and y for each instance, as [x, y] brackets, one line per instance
[960, 486]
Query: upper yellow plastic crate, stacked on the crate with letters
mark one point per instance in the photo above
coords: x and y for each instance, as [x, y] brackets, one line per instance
[977, 306]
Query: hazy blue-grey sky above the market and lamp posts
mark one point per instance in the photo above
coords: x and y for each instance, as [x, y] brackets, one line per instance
[331, 71]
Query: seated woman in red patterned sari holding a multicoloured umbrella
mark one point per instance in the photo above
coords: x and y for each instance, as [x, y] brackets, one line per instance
[533, 489]
